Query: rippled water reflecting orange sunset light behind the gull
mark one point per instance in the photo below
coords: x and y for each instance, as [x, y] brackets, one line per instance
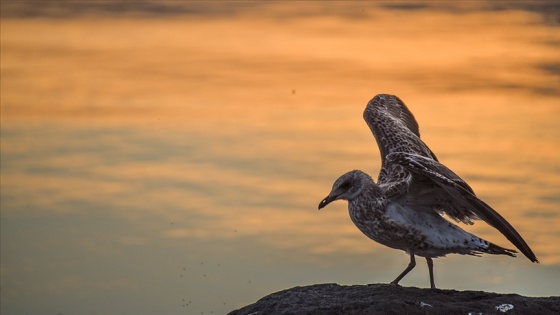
[168, 158]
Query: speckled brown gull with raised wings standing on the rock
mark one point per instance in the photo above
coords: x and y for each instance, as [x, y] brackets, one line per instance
[404, 209]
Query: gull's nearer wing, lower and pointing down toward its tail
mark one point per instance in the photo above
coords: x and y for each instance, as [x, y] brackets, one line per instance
[433, 181]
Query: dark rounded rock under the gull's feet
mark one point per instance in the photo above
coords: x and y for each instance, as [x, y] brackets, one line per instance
[390, 299]
